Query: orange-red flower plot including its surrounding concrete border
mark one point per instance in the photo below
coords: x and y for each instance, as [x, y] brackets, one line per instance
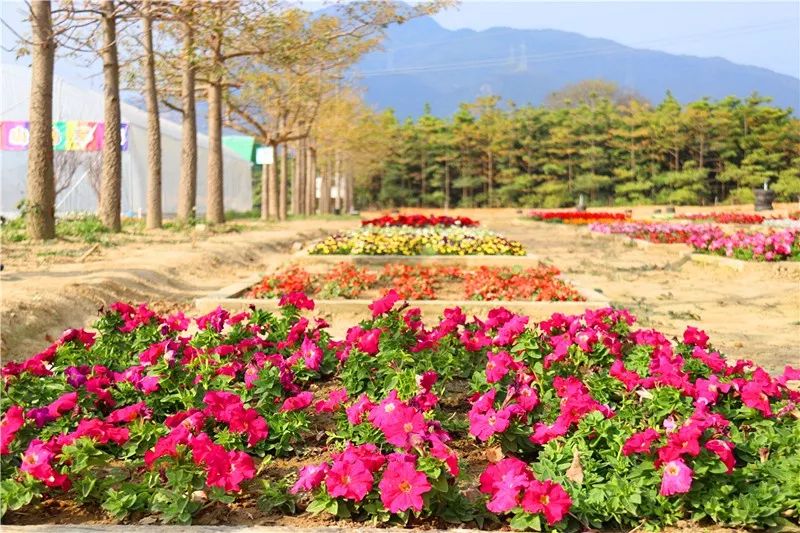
[346, 290]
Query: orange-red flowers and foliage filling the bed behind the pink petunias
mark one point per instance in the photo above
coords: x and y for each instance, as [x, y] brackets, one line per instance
[413, 282]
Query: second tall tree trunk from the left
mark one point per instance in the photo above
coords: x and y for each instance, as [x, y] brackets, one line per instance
[111, 185]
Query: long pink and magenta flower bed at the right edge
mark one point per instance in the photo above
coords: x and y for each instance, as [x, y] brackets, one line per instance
[783, 245]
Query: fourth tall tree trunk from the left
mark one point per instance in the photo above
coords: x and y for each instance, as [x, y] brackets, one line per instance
[187, 188]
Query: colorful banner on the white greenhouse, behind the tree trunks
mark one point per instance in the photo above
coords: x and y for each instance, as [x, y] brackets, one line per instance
[76, 135]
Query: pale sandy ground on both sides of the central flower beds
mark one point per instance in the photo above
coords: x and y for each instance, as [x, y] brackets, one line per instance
[754, 314]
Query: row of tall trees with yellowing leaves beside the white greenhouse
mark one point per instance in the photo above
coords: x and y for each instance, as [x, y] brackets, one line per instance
[263, 67]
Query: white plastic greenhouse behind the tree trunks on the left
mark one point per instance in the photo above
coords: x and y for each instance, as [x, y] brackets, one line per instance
[72, 103]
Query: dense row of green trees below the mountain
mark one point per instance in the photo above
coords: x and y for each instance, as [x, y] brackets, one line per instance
[590, 139]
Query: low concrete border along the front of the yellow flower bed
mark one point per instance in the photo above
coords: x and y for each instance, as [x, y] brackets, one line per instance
[304, 258]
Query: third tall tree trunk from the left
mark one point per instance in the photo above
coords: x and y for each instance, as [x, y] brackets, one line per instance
[154, 215]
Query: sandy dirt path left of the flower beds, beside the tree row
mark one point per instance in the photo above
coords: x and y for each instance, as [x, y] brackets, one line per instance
[41, 298]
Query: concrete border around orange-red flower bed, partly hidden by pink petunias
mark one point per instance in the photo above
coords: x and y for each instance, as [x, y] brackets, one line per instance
[230, 298]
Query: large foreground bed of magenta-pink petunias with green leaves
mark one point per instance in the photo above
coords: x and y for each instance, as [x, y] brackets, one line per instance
[582, 422]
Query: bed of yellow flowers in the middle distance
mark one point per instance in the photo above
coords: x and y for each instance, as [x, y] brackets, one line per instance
[417, 241]
